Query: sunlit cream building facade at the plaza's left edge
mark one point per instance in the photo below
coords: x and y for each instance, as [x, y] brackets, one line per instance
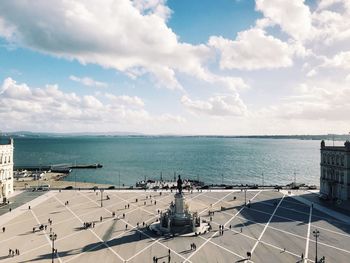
[6, 169]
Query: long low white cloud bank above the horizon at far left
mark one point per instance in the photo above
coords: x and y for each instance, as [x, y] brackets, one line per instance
[22, 106]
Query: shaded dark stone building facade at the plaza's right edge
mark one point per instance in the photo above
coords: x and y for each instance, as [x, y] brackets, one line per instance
[335, 171]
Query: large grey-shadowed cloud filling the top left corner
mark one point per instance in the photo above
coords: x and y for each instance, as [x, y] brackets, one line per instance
[118, 34]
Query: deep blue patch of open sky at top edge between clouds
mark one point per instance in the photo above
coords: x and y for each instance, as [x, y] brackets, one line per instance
[195, 21]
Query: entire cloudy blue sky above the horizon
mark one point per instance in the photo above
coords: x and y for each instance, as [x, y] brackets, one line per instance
[199, 67]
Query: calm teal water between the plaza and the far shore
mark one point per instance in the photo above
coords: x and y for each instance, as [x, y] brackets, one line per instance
[212, 160]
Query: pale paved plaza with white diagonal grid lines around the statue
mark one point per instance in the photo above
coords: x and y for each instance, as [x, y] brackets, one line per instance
[274, 228]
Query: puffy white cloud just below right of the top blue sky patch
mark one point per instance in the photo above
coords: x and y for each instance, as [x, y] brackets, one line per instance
[252, 50]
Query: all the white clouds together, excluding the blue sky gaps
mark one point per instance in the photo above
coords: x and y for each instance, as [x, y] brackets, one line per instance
[306, 46]
